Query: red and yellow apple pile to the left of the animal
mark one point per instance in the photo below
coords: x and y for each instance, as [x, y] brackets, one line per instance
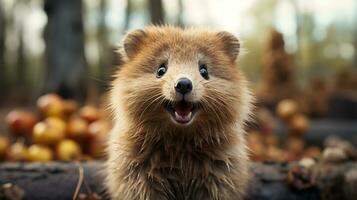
[61, 131]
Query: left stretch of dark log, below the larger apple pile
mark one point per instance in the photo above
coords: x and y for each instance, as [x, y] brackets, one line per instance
[54, 180]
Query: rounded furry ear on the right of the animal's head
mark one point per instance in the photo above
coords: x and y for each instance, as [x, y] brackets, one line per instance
[231, 44]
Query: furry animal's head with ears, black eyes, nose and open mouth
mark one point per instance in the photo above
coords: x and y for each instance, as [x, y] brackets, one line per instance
[179, 77]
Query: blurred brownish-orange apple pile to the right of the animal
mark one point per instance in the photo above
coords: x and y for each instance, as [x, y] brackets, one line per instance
[267, 146]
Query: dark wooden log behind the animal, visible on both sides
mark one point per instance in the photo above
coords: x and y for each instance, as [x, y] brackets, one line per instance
[58, 180]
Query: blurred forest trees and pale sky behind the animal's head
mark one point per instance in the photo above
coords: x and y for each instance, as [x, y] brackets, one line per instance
[64, 45]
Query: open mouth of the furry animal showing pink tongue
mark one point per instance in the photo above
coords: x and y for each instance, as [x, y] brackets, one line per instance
[182, 112]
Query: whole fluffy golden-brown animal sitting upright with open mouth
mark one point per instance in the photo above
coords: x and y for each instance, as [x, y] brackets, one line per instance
[179, 103]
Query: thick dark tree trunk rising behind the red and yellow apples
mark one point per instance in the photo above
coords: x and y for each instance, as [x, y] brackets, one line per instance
[64, 38]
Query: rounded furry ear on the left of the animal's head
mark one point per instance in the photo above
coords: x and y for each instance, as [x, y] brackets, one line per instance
[132, 42]
